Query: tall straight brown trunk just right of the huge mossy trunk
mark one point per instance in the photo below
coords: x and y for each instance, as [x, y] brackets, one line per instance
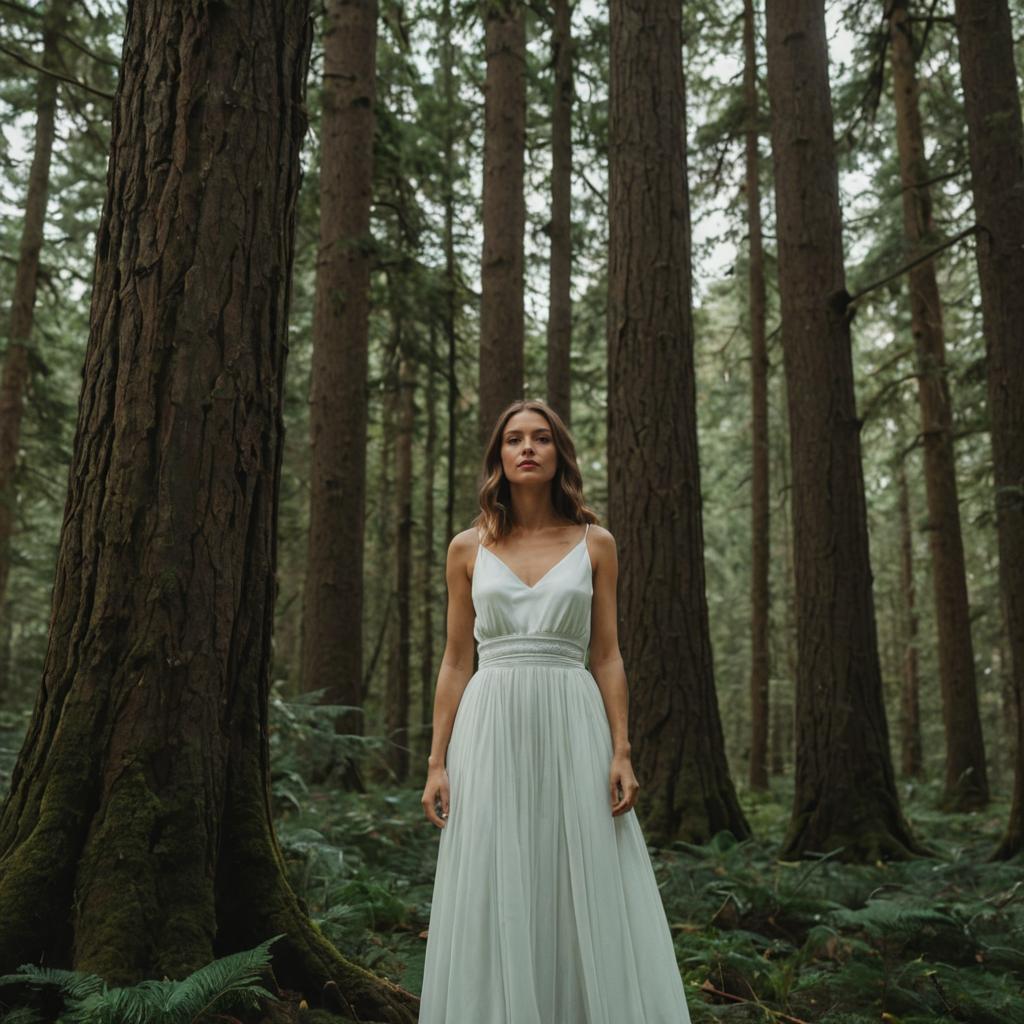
[332, 631]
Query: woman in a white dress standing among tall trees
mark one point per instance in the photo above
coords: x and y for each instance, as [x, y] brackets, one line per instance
[545, 910]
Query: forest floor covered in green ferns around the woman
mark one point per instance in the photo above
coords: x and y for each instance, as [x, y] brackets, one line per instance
[758, 940]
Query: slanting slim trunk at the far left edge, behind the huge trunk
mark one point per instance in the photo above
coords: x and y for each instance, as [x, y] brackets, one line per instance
[15, 380]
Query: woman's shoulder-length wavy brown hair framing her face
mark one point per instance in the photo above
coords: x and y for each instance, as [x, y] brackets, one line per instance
[495, 520]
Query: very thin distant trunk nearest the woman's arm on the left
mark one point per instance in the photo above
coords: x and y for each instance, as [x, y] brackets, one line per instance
[429, 560]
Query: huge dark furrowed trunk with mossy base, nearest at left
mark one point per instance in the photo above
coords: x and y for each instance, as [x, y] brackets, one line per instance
[138, 840]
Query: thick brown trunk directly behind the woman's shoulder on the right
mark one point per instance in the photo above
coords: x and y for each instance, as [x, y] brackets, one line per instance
[654, 473]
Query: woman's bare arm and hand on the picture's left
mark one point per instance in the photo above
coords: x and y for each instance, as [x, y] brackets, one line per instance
[455, 673]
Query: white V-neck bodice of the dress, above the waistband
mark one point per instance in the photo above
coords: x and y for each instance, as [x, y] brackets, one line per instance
[558, 606]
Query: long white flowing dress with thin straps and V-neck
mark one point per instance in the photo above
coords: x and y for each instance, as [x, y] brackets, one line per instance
[545, 909]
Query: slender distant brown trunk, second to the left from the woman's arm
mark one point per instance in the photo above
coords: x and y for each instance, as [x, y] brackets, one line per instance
[399, 696]
